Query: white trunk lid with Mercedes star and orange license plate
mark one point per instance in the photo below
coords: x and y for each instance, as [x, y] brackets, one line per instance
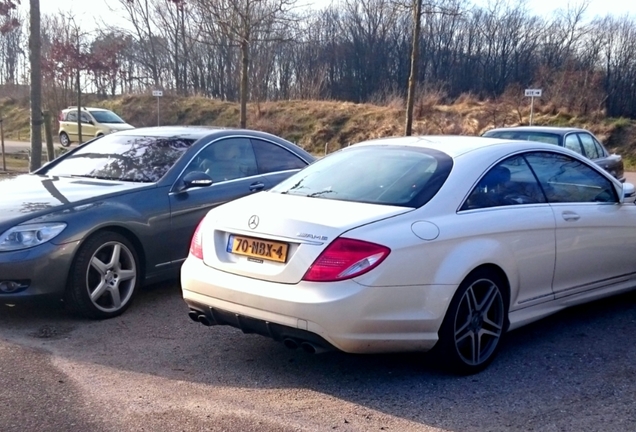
[277, 237]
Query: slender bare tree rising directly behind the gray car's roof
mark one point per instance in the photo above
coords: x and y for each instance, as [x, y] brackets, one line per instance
[245, 22]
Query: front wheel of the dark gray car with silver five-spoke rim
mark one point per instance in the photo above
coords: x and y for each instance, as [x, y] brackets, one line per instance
[104, 276]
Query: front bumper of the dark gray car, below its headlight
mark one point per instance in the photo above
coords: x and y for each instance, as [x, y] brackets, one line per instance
[41, 271]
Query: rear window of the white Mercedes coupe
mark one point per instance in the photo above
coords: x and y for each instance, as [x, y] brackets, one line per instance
[389, 175]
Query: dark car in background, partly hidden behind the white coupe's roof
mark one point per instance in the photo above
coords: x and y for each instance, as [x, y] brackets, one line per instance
[579, 140]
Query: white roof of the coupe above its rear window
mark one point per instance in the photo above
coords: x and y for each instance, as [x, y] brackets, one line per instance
[453, 145]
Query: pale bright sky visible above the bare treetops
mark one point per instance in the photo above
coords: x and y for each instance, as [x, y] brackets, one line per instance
[92, 11]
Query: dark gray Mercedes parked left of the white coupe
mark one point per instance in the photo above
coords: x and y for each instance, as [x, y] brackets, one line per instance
[119, 211]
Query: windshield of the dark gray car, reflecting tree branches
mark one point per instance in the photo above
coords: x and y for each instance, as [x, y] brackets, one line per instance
[123, 158]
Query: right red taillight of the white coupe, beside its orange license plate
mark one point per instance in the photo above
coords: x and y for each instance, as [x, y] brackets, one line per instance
[346, 258]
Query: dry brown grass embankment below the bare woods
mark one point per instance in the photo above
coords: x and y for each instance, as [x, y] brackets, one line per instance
[316, 125]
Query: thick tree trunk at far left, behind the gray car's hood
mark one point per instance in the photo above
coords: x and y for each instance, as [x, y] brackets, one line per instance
[35, 45]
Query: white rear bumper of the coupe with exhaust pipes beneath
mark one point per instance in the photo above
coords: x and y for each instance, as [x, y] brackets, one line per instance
[344, 315]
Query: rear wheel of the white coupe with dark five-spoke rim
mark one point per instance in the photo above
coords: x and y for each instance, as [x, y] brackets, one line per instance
[474, 325]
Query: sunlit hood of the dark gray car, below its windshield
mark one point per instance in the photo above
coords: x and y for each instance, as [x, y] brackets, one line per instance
[29, 196]
